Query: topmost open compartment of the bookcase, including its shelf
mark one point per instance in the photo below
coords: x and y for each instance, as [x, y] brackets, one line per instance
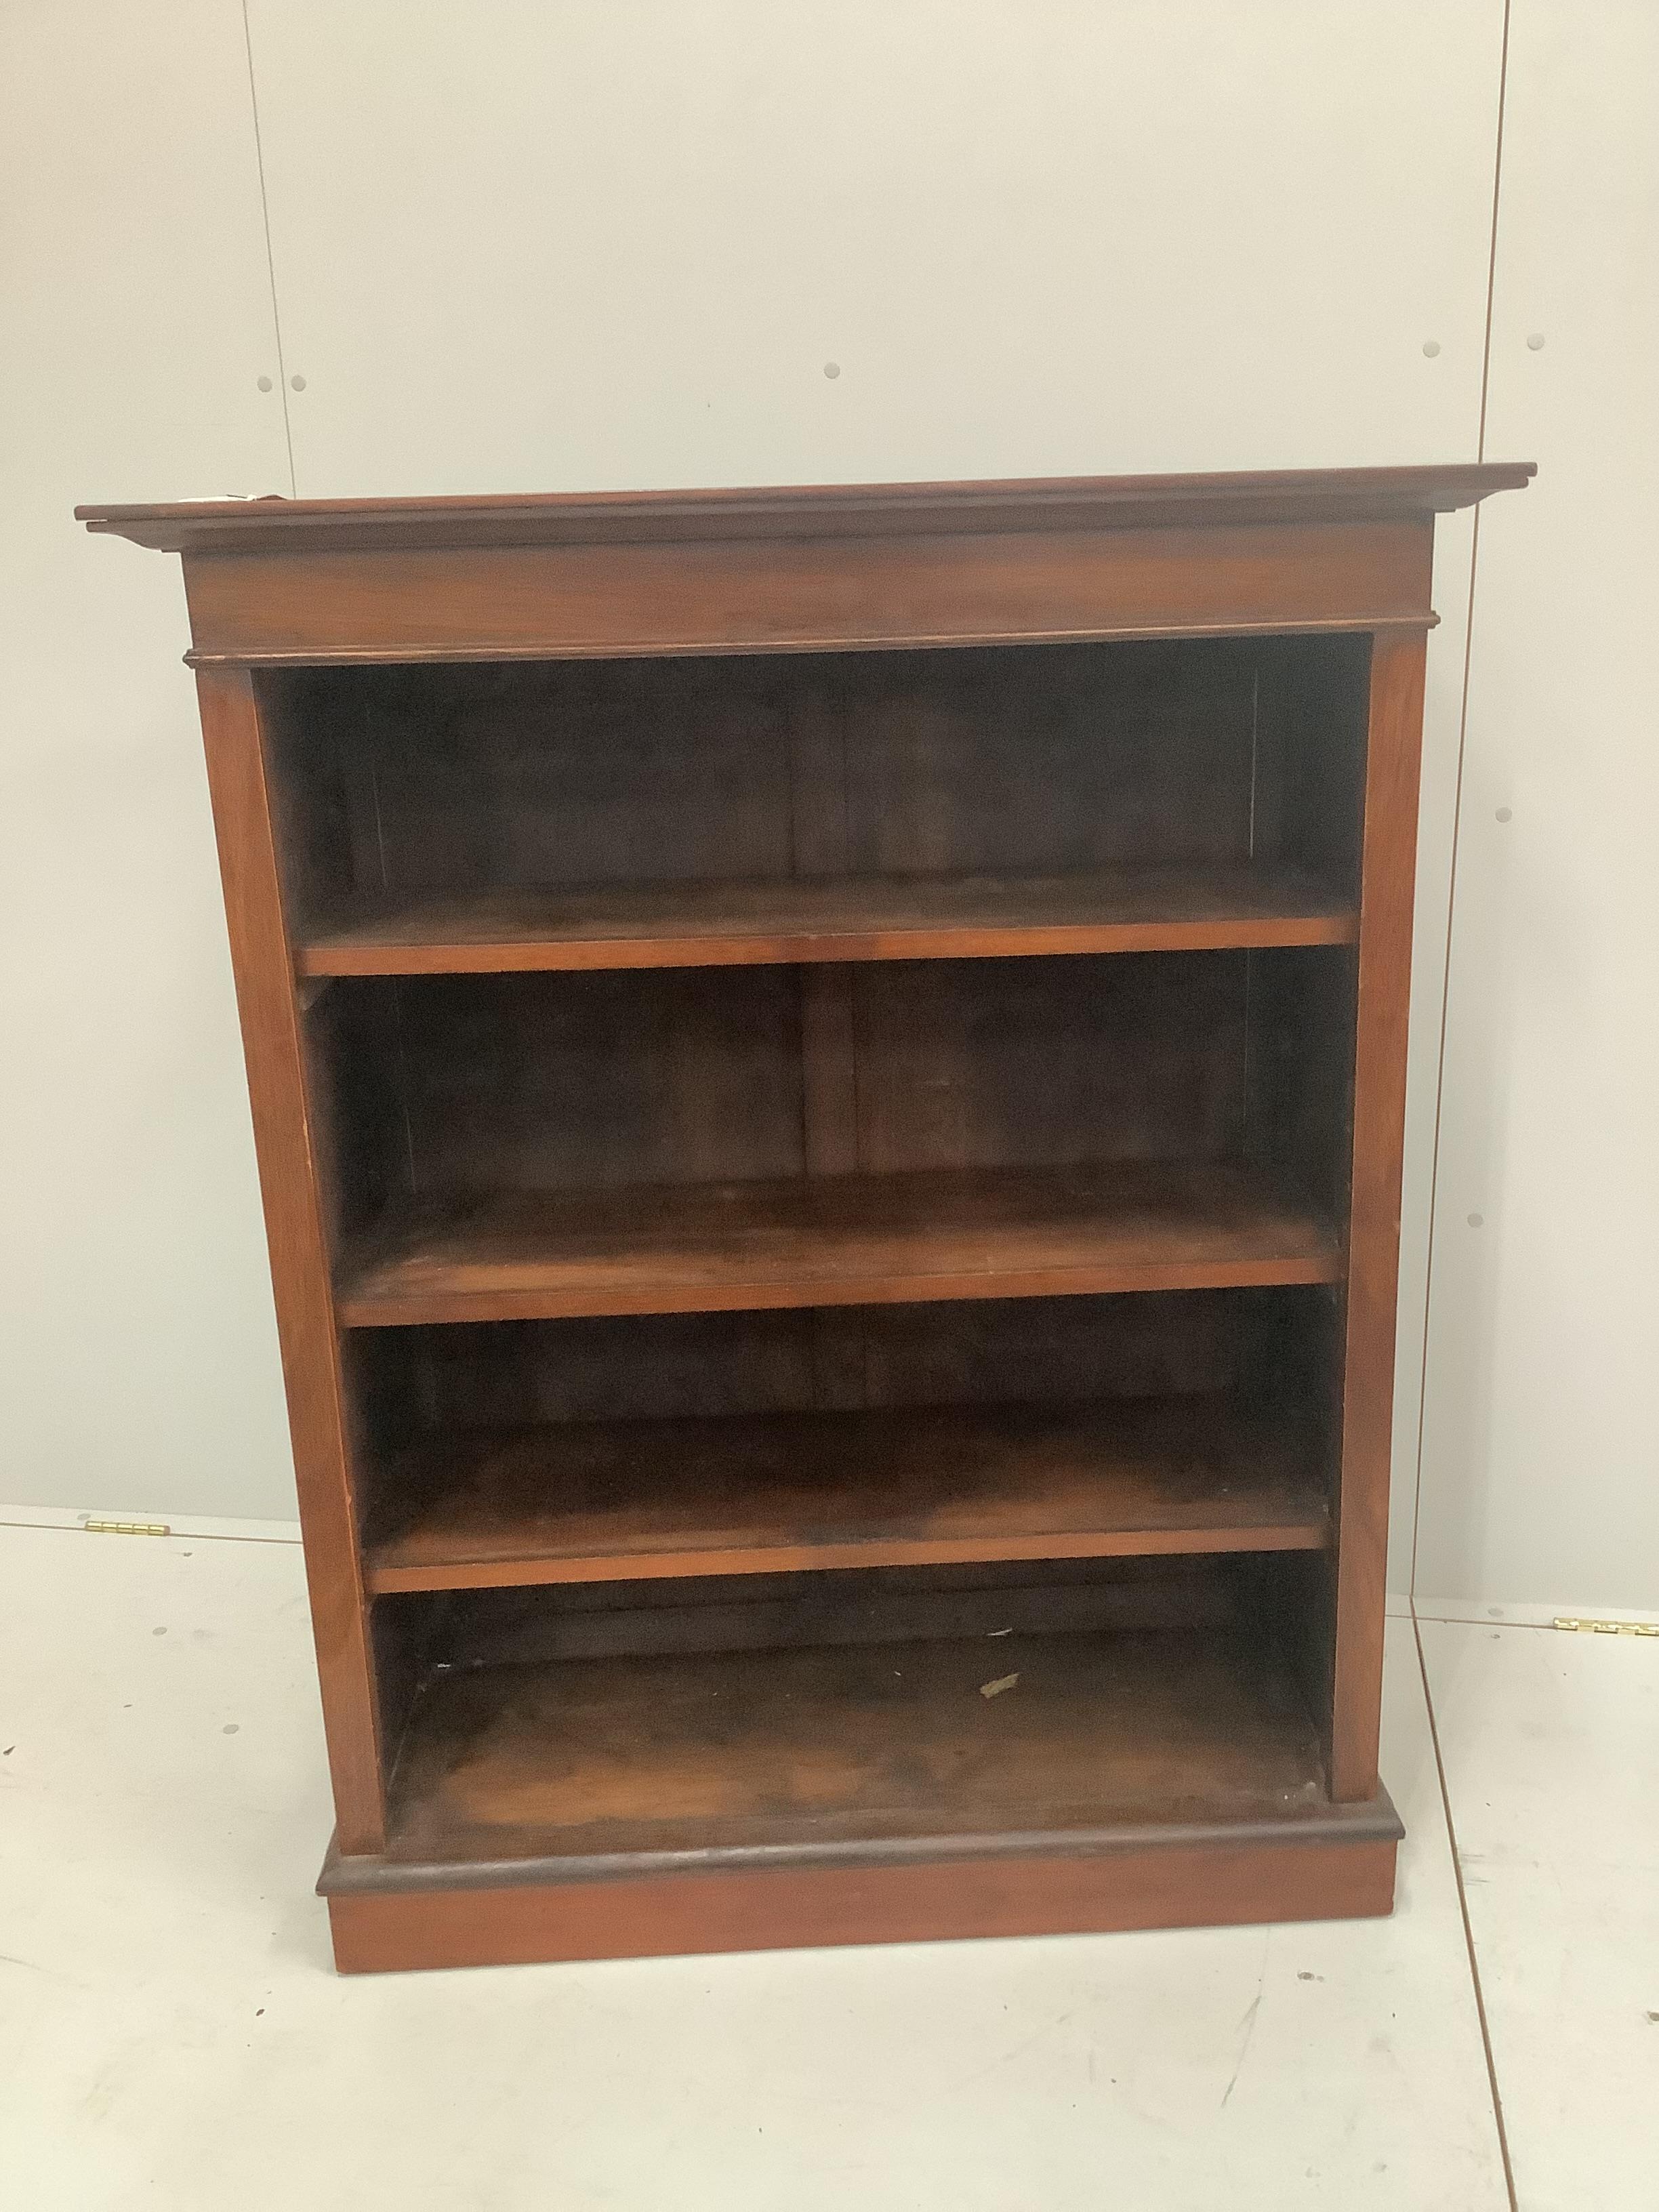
[853, 806]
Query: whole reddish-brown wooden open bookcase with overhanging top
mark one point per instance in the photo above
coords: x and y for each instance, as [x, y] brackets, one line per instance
[828, 1076]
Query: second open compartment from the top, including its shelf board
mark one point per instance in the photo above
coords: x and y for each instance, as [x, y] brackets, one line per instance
[539, 1147]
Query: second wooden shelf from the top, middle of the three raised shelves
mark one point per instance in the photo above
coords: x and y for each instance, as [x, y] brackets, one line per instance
[842, 1240]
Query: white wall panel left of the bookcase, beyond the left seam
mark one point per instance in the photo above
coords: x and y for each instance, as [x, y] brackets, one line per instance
[138, 1361]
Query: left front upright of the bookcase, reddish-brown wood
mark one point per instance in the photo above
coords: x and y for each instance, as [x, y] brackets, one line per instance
[300, 1264]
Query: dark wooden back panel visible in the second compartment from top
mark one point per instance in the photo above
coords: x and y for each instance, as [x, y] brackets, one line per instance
[685, 1076]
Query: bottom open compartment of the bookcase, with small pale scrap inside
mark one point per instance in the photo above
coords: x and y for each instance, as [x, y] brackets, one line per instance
[851, 1718]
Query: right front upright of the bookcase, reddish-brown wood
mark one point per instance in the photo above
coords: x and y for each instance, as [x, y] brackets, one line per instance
[1375, 1211]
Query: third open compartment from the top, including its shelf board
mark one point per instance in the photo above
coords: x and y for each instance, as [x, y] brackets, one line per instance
[762, 1443]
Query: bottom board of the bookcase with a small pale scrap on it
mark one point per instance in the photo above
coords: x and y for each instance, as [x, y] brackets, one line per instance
[817, 1749]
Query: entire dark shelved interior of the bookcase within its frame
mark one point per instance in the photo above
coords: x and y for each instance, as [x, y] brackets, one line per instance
[570, 1479]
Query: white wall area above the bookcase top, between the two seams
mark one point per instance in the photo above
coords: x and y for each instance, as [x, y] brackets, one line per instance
[534, 247]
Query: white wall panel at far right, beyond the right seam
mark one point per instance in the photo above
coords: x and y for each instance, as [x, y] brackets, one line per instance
[1541, 1468]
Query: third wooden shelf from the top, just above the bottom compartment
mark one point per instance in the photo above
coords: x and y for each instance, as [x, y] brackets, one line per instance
[893, 1488]
